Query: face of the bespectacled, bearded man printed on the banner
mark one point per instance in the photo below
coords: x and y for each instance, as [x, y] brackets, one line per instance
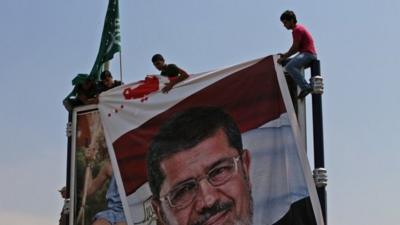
[207, 184]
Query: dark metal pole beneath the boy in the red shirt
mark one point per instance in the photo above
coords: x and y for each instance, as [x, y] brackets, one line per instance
[319, 160]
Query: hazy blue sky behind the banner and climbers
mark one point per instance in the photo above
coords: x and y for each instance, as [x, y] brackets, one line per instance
[45, 43]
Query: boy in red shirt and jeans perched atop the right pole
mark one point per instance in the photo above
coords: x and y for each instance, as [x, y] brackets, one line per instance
[303, 44]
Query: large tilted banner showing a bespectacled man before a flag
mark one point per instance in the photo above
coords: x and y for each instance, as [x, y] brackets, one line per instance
[222, 147]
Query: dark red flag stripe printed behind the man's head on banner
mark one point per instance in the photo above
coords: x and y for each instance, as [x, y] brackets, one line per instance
[251, 96]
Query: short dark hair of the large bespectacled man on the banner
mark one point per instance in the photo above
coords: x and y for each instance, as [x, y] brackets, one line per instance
[186, 130]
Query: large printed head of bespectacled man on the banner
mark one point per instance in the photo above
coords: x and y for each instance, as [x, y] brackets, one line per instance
[198, 171]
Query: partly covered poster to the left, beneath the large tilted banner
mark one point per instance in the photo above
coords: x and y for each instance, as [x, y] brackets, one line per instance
[94, 194]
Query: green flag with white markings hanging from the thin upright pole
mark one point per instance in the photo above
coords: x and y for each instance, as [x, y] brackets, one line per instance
[110, 39]
